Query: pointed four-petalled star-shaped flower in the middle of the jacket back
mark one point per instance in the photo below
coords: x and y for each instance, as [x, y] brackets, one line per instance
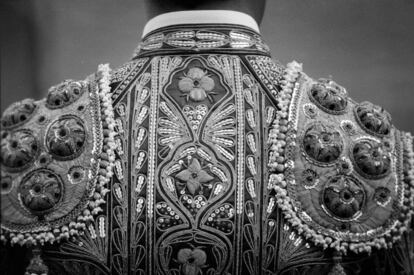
[194, 176]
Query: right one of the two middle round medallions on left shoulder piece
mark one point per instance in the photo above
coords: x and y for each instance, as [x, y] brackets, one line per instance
[66, 137]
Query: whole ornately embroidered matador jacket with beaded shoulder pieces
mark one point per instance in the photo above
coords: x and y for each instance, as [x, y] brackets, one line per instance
[202, 155]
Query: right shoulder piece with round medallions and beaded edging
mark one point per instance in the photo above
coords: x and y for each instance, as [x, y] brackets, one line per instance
[342, 174]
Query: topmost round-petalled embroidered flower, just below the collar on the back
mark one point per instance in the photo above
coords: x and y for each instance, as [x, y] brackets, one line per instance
[196, 85]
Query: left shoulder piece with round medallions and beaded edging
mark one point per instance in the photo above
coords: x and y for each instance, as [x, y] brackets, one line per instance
[57, 156]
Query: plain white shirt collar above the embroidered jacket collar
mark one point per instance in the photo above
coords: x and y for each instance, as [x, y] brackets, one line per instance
[201, 17]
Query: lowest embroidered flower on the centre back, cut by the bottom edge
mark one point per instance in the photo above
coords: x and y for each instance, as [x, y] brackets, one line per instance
[191, 260]
